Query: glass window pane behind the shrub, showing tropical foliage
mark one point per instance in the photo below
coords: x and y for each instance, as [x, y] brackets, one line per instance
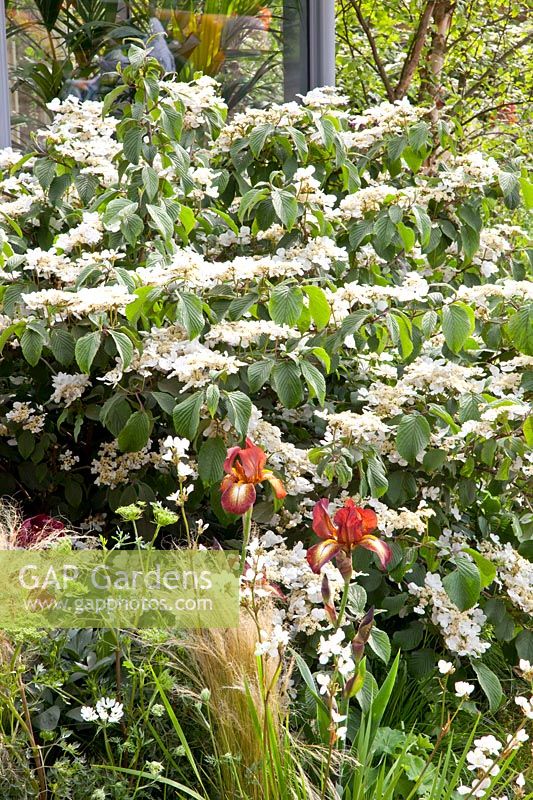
[74, 48]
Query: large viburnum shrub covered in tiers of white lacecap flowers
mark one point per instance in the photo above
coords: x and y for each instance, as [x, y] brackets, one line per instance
[347, 291]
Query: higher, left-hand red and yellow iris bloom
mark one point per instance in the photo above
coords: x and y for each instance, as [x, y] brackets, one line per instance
[244, 468]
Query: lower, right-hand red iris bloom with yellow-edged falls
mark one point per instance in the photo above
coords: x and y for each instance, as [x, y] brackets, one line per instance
[351, 527]
